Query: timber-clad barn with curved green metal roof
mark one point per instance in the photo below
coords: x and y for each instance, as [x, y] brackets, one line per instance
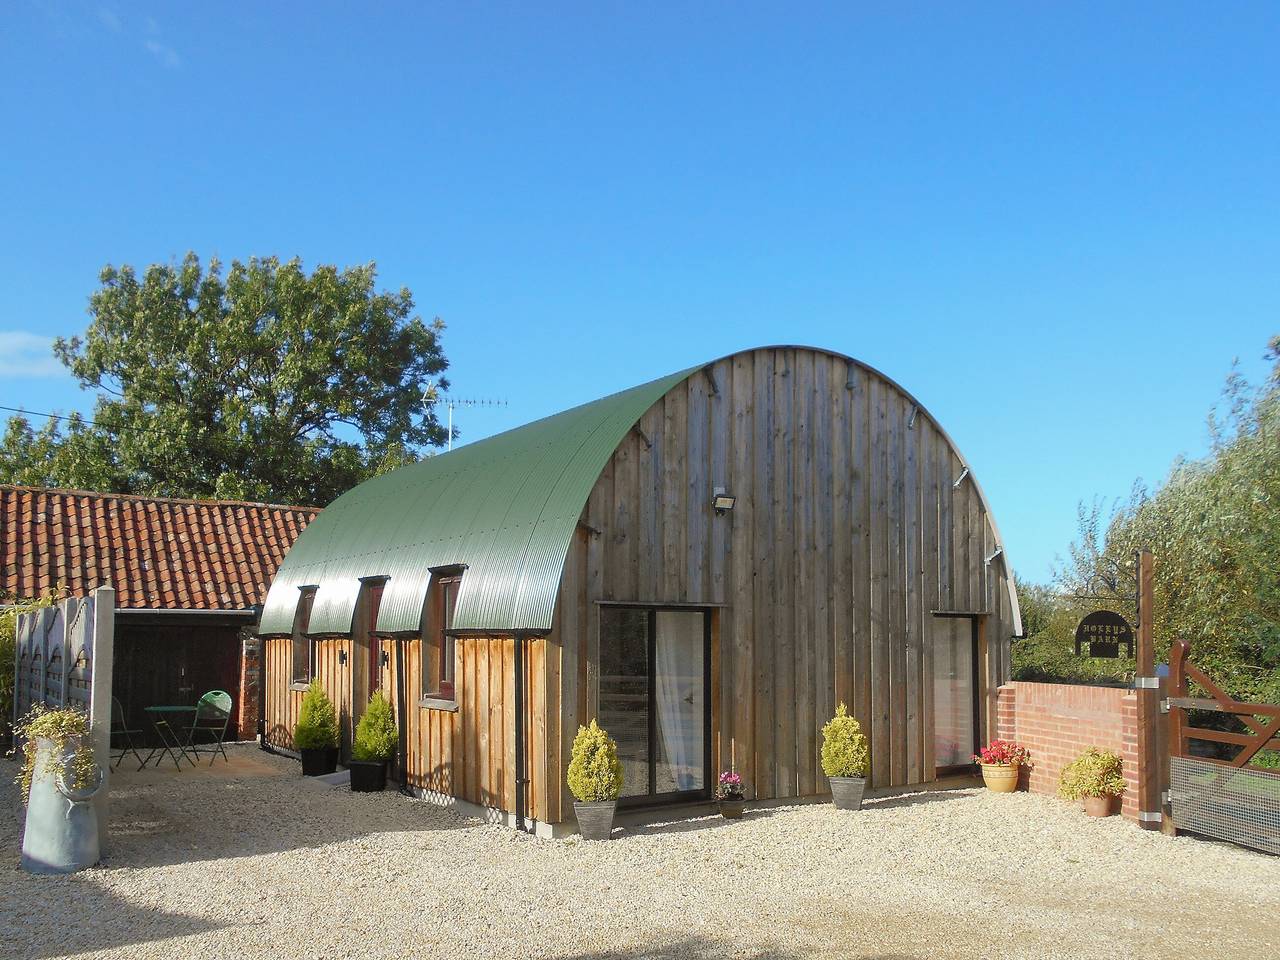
[708, 564]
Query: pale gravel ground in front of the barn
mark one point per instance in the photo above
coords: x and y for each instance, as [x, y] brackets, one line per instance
[257, 862]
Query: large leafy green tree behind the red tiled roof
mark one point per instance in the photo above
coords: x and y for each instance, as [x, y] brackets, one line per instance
[264, 383]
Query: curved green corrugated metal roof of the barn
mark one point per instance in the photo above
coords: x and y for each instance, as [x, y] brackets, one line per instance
[506, 508]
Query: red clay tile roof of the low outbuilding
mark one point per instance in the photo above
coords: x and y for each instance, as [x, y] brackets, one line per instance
[157, 554]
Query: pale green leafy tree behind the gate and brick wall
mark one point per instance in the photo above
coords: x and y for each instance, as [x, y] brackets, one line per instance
[1214, 527]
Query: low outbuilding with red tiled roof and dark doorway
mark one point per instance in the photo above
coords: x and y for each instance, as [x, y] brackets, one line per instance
[189, 575]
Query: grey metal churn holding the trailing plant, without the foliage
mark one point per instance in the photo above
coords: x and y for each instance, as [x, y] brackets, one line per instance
[62, 833]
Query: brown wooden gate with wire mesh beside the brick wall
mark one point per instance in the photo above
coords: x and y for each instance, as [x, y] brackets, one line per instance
[1210, 793]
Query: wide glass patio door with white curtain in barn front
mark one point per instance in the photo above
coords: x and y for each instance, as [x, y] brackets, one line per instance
[655, 682]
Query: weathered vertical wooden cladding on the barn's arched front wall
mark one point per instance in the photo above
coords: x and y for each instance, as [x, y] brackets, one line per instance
[849, 531]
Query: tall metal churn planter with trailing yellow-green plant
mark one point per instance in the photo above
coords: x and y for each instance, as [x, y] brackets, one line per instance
[60, 778]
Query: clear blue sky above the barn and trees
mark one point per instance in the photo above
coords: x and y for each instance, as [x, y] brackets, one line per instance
[1058, 228]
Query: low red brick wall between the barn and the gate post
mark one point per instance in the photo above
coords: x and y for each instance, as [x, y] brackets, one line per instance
[1058, 721]
